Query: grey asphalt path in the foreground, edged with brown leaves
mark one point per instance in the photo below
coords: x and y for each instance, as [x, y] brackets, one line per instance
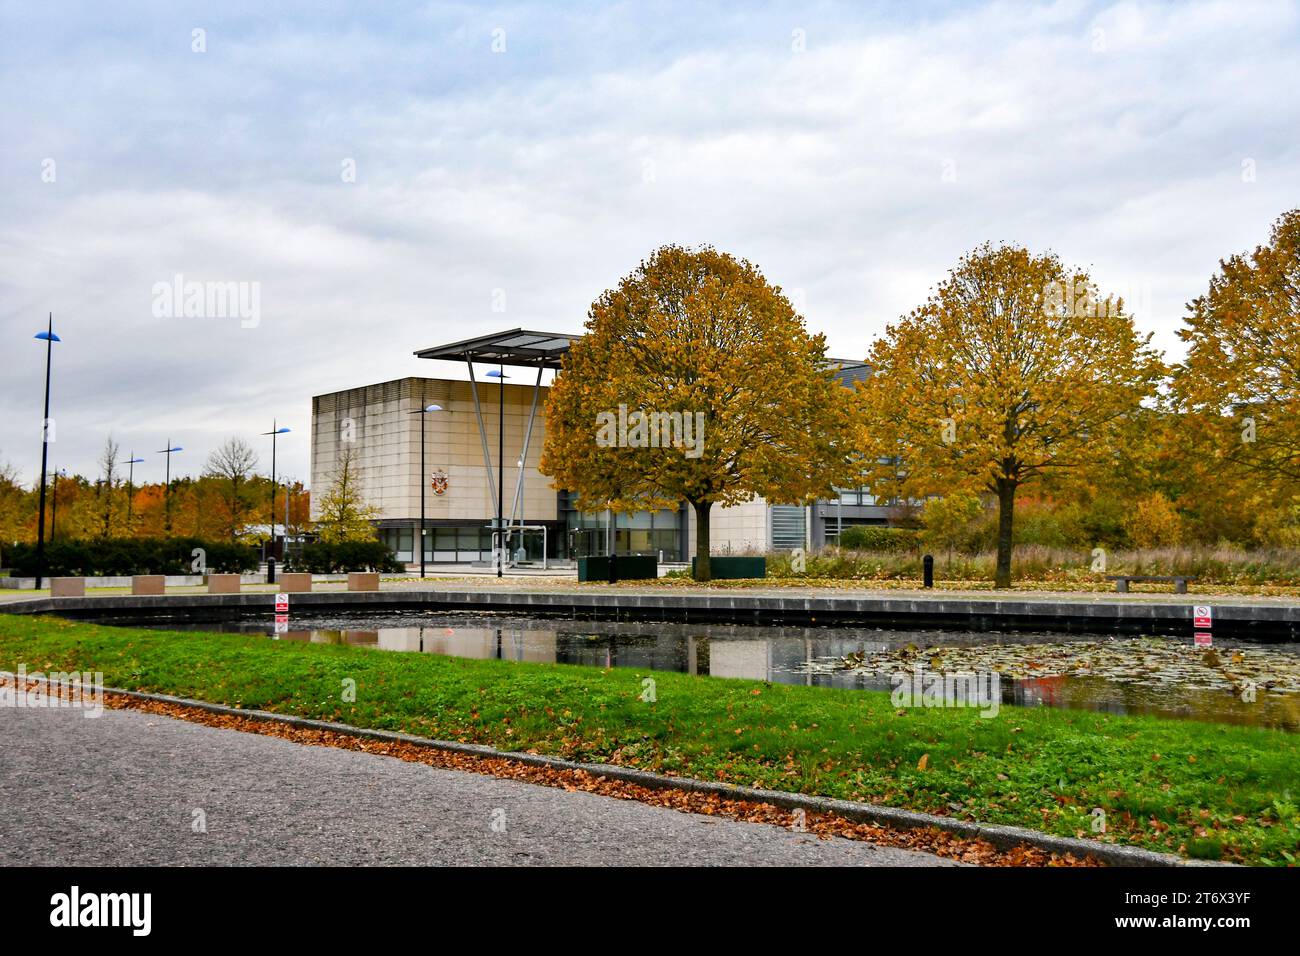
[136, 789]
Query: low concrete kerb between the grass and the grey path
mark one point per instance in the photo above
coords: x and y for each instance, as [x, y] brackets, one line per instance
[1000, 836]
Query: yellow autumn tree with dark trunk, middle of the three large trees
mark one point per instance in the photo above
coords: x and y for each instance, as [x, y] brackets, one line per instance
[1015, 370]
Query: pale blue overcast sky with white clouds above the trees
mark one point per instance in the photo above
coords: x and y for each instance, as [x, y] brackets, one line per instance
[526, 159]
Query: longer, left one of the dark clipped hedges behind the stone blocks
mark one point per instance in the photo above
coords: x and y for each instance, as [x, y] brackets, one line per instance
[124, 557]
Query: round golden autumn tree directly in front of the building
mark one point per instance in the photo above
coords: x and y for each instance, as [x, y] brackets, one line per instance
[696, 382]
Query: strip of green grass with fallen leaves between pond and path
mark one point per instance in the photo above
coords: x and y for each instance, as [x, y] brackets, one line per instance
[1212, 790]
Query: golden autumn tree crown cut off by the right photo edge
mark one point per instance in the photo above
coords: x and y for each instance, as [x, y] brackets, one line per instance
[1240, 386]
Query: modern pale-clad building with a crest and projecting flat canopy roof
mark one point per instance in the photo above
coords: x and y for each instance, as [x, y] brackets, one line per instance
[483, 444]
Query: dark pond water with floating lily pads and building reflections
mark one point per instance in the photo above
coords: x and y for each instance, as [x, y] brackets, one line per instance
[1123, 676]
